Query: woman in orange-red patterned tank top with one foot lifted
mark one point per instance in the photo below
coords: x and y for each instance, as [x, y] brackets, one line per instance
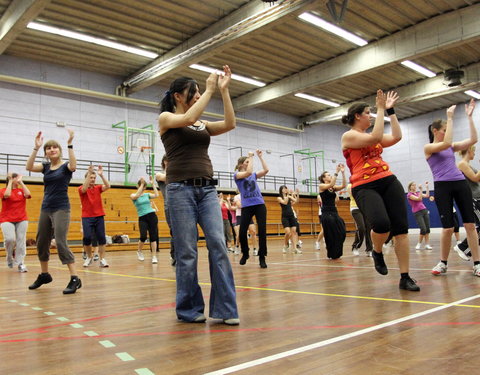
[378, 193]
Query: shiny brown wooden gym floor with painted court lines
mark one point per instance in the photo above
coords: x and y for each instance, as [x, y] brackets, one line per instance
[305, 314]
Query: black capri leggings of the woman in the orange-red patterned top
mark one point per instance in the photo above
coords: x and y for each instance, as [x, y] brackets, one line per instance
[383, 204]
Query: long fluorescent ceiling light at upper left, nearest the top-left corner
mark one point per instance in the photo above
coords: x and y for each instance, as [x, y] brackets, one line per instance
[90, 39]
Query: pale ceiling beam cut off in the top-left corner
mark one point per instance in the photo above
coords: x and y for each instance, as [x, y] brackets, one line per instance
[17, 16]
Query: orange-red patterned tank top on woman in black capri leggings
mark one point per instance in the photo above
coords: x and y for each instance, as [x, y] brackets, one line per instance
[366, 164]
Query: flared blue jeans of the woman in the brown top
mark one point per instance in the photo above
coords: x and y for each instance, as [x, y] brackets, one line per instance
[189, 206]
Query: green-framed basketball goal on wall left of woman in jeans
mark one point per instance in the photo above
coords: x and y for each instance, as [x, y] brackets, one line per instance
[139, 156]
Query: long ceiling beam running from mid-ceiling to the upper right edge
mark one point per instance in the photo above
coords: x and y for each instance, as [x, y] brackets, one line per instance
[440, 32]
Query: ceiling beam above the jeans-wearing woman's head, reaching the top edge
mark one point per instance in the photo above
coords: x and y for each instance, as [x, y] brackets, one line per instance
[220, 35]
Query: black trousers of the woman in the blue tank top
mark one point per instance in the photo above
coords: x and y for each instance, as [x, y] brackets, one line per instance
[260, 213]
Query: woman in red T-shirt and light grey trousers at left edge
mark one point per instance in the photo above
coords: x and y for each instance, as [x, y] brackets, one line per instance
[13, 219]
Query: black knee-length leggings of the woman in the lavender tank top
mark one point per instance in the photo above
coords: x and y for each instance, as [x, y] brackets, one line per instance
[448, 191]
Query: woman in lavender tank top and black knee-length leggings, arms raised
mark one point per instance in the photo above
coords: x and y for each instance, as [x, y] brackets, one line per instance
[450, 184]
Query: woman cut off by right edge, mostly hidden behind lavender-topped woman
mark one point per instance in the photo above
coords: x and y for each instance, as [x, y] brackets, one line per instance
[473, 179]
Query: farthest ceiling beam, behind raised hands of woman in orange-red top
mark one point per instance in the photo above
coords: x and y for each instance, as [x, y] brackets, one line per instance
[425, 89]
